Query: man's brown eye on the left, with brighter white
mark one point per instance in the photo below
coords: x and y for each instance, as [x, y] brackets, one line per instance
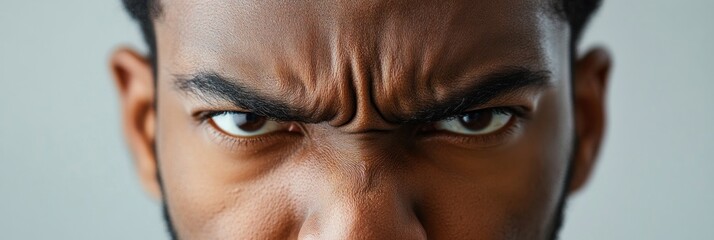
[243, 124]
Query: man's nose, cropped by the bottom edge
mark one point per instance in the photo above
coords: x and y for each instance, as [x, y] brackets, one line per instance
[363, 196]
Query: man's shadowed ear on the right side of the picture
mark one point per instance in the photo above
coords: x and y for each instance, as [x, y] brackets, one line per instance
[590, 87]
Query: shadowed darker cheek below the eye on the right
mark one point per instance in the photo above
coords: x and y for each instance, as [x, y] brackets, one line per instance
[514, 188]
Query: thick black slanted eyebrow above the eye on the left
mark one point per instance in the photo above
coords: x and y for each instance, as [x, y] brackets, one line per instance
[211, 87]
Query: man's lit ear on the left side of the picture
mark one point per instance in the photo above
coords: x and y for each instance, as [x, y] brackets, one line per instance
[134, 80]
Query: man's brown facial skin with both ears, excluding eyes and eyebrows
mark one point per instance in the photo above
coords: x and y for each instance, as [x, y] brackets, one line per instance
[357, 169]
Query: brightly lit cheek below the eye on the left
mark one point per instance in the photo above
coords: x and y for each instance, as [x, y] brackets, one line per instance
[211, 192]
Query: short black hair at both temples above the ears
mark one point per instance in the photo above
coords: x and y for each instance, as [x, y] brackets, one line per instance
[576, 12]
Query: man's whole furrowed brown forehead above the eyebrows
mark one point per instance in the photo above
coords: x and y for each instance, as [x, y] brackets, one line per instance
[393, 49]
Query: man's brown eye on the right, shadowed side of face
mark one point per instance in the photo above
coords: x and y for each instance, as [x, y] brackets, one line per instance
[479, 122]
